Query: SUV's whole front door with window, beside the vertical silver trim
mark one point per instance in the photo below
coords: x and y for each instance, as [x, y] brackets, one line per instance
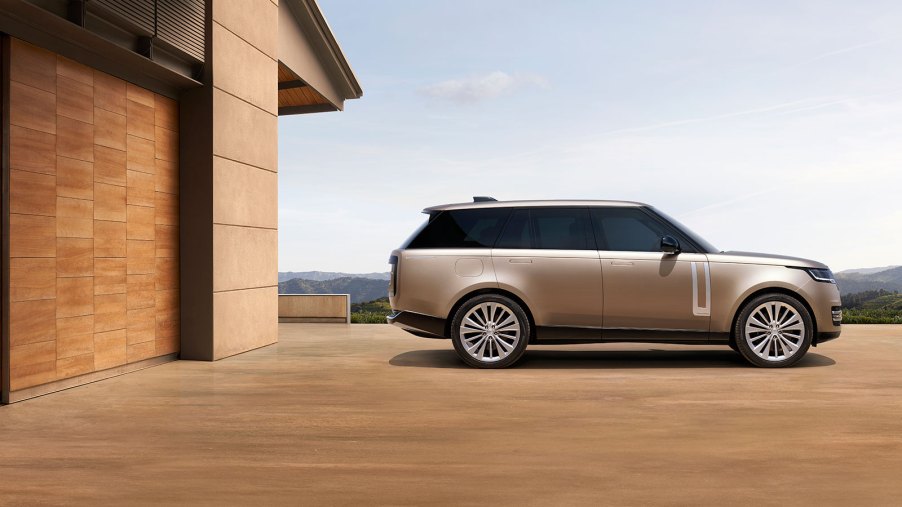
[647, 293]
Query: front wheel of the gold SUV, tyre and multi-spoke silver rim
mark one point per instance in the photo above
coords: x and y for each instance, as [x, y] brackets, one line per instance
[773, 331]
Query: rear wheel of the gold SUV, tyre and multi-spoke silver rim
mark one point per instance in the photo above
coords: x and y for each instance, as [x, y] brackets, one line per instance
[490, 331]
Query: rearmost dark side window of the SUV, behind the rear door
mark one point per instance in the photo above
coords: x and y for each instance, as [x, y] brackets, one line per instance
[469, 228]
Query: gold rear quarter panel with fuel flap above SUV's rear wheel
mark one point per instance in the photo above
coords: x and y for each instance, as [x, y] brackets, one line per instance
[430, 281]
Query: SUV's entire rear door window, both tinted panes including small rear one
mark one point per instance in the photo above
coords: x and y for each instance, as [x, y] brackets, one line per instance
[548, 228]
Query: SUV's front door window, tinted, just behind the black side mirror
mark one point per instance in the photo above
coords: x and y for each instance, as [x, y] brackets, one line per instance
[627, 230]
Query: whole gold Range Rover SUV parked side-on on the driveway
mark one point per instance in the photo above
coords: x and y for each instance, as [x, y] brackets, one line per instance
[496, 276]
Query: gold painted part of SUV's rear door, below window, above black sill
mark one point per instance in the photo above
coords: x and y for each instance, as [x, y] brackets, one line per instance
[560, 287]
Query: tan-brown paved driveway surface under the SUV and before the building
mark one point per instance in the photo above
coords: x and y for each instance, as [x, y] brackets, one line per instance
[363, 415]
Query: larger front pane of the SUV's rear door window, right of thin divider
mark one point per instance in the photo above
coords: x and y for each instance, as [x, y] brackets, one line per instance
[561, 229]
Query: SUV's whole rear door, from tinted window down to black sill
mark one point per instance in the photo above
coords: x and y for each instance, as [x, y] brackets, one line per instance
[547, 256]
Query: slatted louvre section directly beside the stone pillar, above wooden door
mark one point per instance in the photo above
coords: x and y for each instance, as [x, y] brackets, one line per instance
[181, 24]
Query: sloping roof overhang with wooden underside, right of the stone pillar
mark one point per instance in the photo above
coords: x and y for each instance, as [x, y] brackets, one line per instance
[314, 75]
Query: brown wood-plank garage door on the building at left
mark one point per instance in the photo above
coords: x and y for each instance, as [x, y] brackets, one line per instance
[93, 220]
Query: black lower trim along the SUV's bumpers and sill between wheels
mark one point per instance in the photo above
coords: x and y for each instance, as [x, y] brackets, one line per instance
[427, 326]
